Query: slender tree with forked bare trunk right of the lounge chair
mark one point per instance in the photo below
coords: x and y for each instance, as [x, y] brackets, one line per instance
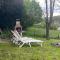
[48, 22]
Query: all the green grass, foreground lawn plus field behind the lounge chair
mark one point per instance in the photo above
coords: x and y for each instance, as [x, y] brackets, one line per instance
[9, 51]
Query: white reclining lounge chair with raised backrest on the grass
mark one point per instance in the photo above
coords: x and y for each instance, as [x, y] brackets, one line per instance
[25, 40]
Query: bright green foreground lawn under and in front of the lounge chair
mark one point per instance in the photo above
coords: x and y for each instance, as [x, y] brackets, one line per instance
[10, 51]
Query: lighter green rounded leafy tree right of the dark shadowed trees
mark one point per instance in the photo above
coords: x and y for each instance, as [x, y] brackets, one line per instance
[32, 13]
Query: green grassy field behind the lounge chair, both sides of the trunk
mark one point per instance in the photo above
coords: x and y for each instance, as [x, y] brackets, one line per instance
[41, 32]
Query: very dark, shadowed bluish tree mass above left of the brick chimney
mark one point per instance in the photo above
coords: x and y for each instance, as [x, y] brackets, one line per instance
[10, 10]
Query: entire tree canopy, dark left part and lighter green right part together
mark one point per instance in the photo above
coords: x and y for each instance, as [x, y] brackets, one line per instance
[28, 11]
